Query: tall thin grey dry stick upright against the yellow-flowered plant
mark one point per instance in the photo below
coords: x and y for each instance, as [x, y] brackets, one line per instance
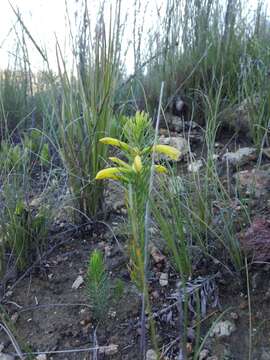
[146, 236]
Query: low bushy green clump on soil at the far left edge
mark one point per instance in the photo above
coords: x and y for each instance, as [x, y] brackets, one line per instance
[23, 225]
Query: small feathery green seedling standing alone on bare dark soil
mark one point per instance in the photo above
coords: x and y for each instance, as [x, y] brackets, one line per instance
[97, 285]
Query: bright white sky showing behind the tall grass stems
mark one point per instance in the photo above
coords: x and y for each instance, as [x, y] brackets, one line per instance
[45, 19]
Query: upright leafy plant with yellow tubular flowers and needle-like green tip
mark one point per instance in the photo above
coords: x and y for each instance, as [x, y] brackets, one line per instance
[134, 175]
